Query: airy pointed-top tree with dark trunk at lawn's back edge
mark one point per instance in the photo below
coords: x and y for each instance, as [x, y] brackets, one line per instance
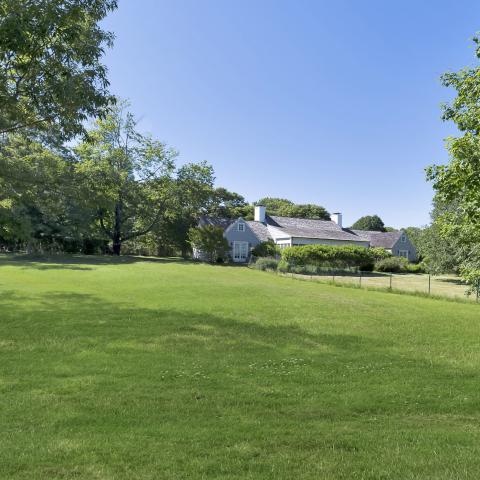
[127, 177]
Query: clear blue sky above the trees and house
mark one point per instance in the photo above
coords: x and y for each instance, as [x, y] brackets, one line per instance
[329, 102]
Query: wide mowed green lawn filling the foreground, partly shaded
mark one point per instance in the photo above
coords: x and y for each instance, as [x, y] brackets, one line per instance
[172, 370]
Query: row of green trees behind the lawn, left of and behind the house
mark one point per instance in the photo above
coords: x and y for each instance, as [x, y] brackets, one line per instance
[117, 191]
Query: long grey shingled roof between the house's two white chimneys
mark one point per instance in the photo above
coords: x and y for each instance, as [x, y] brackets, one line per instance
[309, 228]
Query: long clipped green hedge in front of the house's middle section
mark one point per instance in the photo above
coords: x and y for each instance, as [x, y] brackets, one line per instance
[330, 256]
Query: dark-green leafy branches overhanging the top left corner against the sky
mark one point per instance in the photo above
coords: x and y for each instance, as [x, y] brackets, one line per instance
[51, 77]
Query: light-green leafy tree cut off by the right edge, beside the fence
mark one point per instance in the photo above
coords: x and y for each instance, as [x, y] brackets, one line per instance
[458, 182]
